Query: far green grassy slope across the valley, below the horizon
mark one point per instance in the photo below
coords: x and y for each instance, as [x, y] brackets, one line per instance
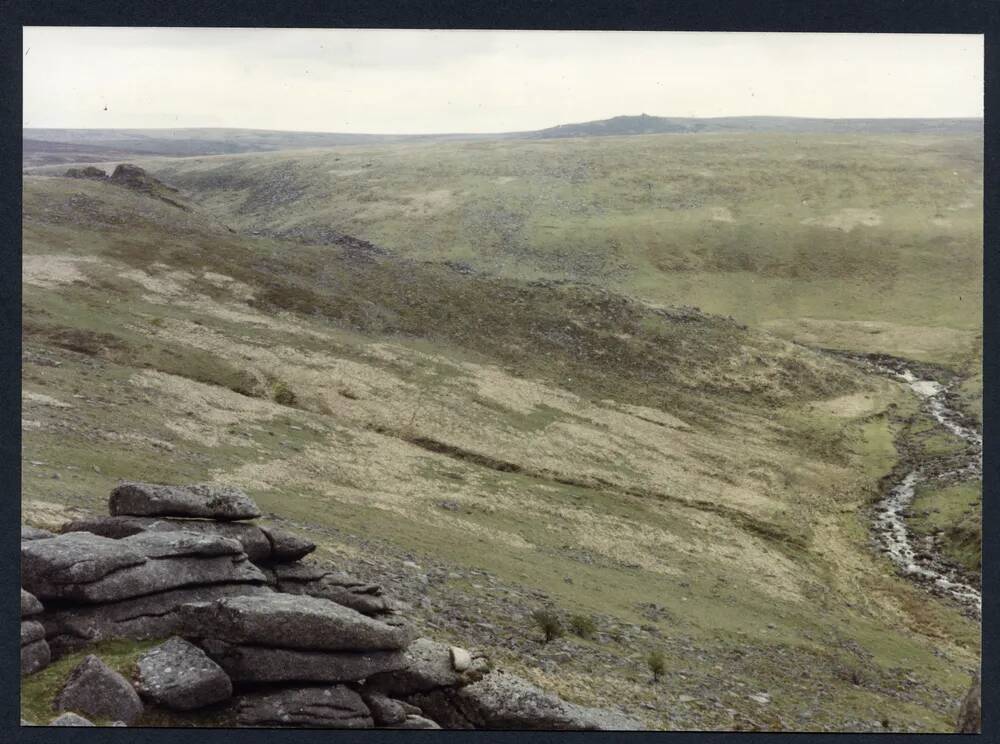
[871, 243]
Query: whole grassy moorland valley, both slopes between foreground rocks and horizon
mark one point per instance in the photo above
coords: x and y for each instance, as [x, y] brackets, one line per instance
[611, 377]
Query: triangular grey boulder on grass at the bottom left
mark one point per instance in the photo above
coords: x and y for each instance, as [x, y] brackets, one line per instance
[98, 691]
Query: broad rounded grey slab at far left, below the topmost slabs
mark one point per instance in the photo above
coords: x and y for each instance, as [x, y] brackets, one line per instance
[92, 569]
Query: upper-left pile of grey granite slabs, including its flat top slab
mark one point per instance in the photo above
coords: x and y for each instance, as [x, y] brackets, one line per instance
[130, 584]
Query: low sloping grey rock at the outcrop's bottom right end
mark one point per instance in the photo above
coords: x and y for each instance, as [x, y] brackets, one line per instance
[504, 701]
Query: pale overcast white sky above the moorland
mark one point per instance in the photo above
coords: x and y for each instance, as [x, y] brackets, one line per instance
[414, 81]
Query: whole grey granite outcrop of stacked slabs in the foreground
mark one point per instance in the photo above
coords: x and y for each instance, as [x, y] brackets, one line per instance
[252, 629]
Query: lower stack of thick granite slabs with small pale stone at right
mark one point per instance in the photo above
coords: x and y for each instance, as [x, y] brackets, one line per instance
[299, 660]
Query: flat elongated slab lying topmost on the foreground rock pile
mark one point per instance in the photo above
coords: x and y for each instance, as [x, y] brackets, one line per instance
[206, 501]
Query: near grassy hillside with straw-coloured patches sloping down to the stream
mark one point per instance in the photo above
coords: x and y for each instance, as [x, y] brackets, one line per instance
[684, 461]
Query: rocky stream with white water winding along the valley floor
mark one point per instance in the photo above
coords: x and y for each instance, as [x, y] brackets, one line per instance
[890, 521]
